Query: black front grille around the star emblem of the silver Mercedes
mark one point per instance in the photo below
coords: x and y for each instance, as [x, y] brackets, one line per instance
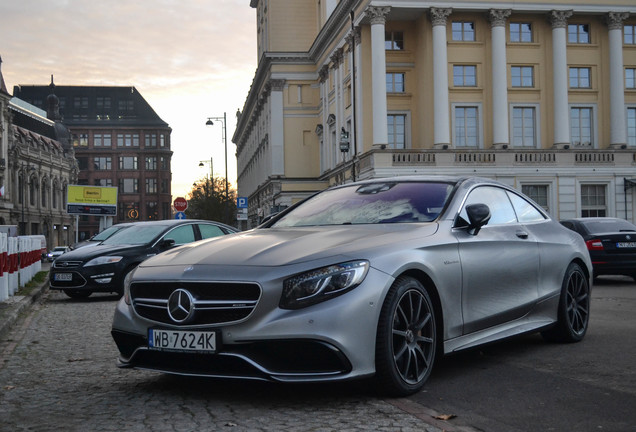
[214, 302]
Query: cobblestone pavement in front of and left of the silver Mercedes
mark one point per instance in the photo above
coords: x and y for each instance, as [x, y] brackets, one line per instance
[57, 372]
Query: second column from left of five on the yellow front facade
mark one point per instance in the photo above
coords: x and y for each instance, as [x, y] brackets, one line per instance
[441, 115]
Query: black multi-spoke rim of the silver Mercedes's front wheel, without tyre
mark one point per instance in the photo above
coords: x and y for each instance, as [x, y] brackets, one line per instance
[413, 337]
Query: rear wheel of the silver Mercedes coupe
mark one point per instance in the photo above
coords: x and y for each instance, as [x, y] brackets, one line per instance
[574, 307]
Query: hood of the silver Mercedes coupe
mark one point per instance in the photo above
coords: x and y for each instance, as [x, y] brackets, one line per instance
[283, 246]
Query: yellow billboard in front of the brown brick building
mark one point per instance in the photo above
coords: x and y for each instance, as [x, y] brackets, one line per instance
[95, 200]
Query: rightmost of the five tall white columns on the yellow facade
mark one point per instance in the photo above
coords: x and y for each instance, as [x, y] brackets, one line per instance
[618, 125]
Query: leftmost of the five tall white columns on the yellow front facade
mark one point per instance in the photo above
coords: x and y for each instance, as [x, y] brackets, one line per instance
[377, 16]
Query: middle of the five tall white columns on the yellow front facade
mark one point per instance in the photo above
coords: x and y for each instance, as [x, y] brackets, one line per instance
[501, 135]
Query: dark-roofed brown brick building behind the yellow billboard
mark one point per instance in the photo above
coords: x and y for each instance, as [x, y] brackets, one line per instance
[119, 141]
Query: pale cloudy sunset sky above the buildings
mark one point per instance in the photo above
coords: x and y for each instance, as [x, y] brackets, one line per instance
[190, 59]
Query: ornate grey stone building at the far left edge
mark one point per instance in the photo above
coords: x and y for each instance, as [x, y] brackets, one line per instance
[37, 164]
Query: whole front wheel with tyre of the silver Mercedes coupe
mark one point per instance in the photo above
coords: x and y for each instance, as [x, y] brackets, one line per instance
[406, 338]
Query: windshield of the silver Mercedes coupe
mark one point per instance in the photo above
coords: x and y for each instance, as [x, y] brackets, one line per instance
[373, 203]
